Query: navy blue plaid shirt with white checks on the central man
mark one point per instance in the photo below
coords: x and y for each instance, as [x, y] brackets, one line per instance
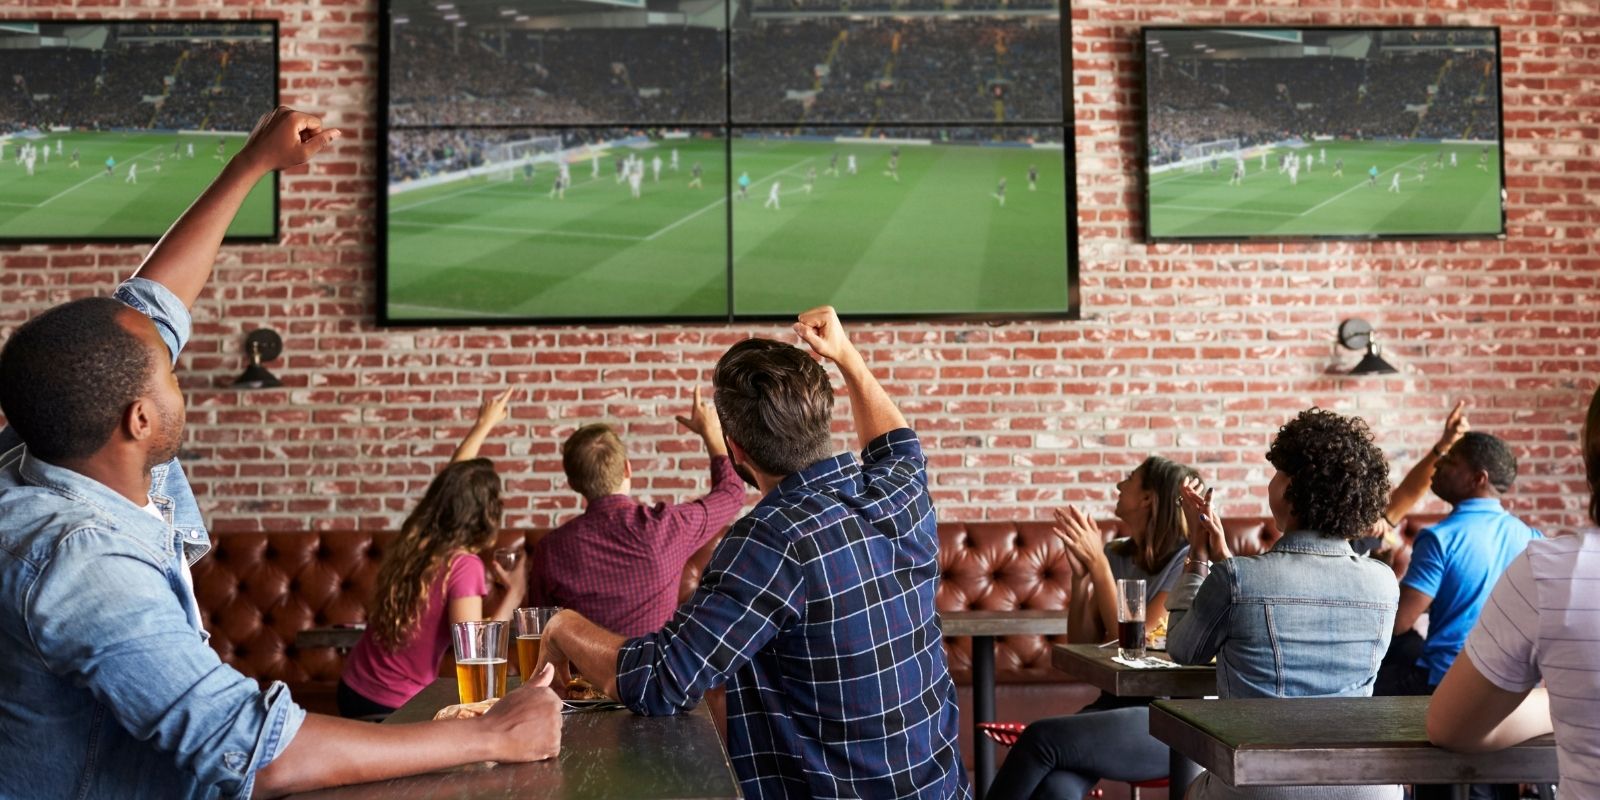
[818, 612]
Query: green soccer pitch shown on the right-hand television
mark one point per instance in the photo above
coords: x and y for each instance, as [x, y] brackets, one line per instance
[1420, 190]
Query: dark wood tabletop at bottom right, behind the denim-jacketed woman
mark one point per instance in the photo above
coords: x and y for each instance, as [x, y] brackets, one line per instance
[1335, 742]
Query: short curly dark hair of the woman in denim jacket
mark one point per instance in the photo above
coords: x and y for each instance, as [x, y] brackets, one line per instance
[1338, 478]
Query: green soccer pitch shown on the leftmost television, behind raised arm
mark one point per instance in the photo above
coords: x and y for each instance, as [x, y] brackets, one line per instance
[60, 201]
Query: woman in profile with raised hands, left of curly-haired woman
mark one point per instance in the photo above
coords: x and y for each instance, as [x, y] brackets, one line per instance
[1063, 758]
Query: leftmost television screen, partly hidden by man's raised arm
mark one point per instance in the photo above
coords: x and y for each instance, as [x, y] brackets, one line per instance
[111, 130]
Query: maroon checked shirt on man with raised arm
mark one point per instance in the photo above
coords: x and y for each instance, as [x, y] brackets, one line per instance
[620, 564]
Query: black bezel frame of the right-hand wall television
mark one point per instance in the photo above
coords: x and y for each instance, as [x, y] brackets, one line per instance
[1145, 146]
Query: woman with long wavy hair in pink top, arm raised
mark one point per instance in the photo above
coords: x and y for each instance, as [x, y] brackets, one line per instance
[431, 578]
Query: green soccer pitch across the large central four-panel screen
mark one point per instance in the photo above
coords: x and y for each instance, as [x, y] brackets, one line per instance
[937, 241]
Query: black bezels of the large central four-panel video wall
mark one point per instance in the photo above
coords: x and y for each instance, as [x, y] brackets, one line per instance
[383, 319]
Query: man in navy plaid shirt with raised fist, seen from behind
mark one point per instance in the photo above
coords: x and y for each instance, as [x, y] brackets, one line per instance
[817, 609]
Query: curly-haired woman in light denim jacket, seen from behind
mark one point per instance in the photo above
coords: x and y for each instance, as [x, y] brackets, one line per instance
[1308, 620]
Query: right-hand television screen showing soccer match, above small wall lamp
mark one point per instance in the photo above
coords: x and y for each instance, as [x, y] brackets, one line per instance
[1295, 134]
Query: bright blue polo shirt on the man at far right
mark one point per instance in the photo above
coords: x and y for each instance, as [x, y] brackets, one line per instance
[1457, 562]
